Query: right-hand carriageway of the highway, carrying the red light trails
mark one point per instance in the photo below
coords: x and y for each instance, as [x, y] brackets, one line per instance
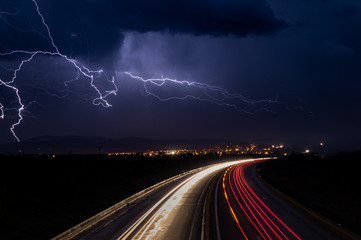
[263, 214]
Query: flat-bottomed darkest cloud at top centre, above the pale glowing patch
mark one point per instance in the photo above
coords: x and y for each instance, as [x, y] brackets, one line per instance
[188, 16]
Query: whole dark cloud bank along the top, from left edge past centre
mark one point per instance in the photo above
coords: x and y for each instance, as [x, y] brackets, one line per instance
[92, 30]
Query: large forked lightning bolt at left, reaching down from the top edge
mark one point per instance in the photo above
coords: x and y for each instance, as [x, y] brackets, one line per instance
[82, 70]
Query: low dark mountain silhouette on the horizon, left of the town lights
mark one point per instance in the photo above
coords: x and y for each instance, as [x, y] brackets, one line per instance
[90, 145]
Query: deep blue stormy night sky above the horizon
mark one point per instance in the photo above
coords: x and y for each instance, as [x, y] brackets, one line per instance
[296, 66]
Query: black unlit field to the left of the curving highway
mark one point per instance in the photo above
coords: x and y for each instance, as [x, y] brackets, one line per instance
[43, 196]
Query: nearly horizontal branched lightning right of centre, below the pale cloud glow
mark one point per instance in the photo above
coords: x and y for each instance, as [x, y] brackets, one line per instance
[208, 93]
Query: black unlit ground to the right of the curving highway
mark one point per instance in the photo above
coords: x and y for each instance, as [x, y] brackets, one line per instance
[330, 185]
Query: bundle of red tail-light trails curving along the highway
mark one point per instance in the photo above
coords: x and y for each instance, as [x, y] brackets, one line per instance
[265, 222]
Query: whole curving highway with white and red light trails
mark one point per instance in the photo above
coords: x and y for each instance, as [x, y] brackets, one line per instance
[223, 201]
